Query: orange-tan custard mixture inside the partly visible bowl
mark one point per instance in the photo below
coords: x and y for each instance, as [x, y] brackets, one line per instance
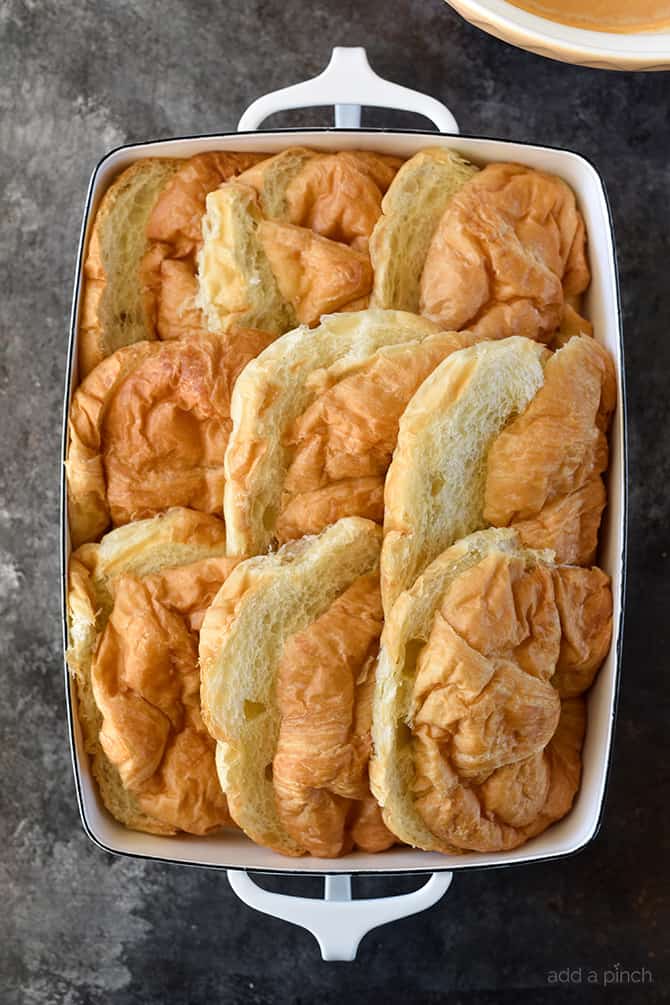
[603, 16]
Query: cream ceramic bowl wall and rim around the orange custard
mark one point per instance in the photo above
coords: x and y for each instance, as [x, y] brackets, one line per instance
[602, 50]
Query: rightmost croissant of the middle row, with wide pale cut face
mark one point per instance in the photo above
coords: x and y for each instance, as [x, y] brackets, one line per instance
[502, 434]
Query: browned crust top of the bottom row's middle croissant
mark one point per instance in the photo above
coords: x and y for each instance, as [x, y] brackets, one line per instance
[325, 688]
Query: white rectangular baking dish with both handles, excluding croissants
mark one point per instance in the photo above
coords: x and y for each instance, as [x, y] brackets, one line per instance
[340, 925]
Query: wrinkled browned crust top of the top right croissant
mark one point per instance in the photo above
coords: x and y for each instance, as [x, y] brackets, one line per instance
[508, 256]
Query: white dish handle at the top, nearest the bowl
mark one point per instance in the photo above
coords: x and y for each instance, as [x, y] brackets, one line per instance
[348, 83]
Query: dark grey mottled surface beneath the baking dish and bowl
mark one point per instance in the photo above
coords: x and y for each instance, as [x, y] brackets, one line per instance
[76, 926]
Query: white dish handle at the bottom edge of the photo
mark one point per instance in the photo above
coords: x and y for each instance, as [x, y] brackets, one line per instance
[338, 923]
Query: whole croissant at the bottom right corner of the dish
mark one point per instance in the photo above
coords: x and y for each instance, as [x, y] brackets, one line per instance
[479, 720]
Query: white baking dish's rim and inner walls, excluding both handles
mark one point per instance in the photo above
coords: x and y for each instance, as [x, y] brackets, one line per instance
[235, 851]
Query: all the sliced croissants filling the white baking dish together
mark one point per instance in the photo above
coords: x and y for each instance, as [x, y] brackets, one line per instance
[336, 478]
